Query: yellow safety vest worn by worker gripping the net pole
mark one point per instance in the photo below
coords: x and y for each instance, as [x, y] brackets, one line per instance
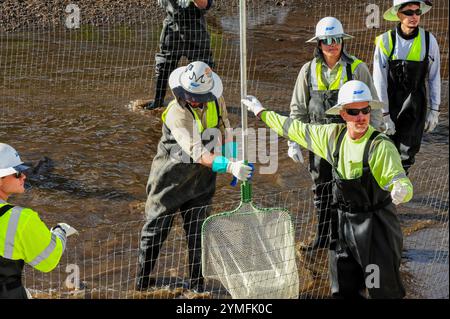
[209, 133]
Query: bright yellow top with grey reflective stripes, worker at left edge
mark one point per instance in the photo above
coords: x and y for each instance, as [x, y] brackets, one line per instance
[23, 236]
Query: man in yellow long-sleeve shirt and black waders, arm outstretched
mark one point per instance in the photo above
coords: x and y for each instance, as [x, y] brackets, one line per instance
[368, 181]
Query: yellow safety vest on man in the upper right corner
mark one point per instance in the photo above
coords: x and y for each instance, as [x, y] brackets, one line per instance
[384, 41]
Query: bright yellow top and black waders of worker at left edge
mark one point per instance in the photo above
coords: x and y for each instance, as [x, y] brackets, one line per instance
[15, 248]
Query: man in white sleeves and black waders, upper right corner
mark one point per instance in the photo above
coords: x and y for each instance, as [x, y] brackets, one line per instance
[406, 61]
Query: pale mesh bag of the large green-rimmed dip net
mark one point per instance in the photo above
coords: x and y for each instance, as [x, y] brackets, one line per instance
[251, 252]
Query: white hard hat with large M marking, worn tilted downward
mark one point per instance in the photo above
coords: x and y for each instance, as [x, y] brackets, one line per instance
[196, 82]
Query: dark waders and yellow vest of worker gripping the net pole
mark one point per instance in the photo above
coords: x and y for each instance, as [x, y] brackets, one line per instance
[176, 184]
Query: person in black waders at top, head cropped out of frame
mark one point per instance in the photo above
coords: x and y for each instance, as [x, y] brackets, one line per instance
[184, 33]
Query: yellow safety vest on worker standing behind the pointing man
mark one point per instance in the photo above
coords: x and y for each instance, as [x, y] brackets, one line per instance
[317, 83]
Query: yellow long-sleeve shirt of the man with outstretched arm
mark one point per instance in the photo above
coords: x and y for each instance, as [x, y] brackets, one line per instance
[384, 159]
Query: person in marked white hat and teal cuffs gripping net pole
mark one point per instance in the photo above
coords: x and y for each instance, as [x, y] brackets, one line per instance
[183, 172]
